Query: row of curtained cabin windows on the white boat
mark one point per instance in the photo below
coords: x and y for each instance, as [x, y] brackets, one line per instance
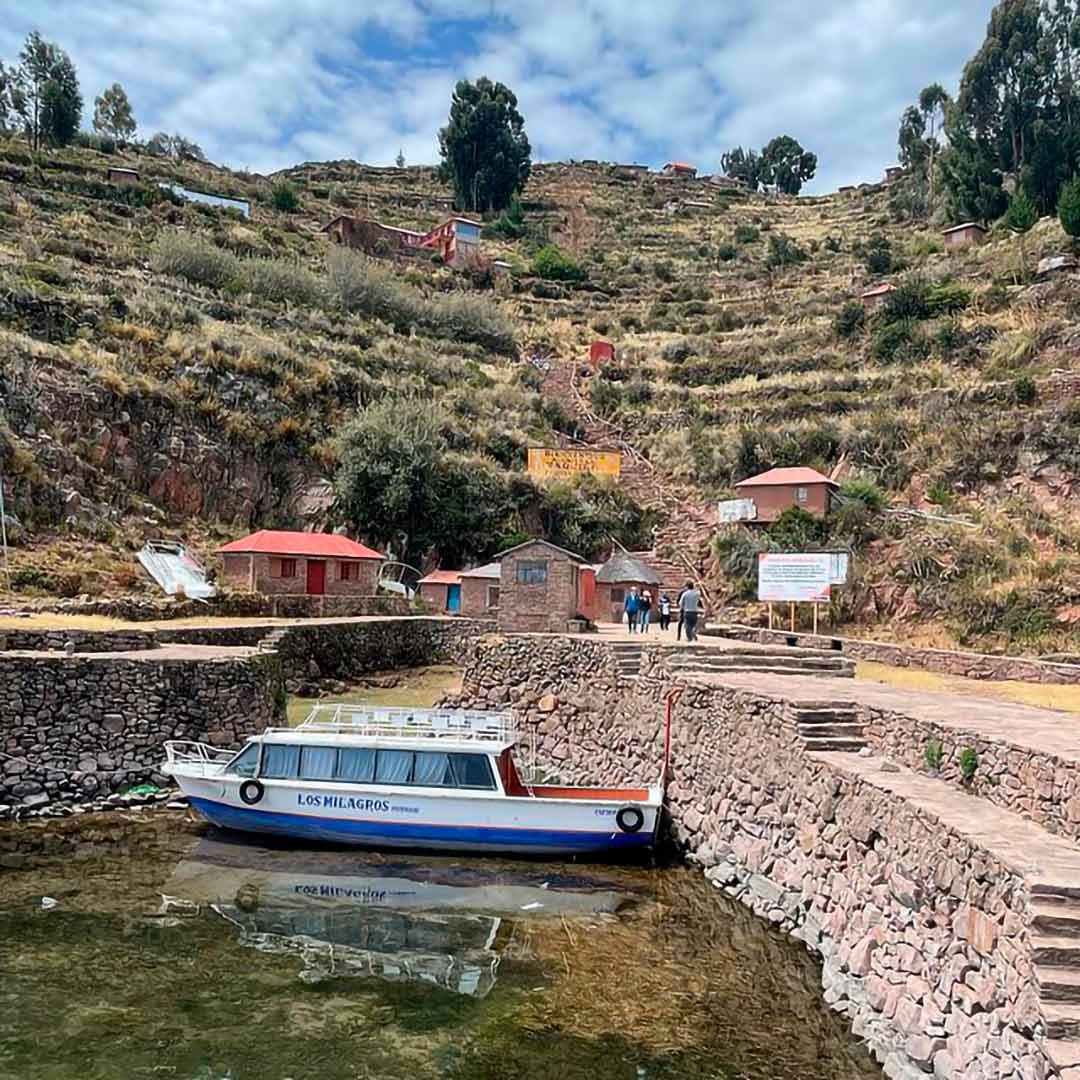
[362, 766]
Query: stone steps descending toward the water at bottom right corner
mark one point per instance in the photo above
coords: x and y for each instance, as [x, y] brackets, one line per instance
[1056, 944]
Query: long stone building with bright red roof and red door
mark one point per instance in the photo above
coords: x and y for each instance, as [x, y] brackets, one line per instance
[301, 564]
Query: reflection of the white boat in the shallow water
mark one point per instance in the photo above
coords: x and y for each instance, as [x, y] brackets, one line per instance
[355, 915]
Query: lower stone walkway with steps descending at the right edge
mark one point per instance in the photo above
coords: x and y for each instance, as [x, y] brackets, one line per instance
[1051, 867]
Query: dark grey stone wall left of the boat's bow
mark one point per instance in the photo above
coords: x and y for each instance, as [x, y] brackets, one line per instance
[78, 727]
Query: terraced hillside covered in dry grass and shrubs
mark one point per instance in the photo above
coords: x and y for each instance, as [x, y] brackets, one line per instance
[173, 369]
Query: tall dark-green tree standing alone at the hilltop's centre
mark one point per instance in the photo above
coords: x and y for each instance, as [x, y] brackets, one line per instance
[484, 146]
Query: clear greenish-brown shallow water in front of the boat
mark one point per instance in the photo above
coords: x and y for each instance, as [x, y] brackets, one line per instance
[417, 968]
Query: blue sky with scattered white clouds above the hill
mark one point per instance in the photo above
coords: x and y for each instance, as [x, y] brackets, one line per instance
[268, 84]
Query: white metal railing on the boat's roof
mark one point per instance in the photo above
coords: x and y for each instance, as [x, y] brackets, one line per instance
[461, 725]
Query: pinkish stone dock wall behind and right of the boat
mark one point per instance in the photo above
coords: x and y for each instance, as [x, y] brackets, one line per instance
[924, 938]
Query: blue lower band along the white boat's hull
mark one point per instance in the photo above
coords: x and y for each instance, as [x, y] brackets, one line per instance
[402, 835]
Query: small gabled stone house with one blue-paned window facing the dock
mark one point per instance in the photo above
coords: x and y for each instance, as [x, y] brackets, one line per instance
[539, 587]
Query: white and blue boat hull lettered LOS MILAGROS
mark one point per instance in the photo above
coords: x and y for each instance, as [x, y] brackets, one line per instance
[408, 818]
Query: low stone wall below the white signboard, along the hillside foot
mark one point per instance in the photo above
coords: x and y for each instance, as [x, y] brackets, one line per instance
[969, 665]
